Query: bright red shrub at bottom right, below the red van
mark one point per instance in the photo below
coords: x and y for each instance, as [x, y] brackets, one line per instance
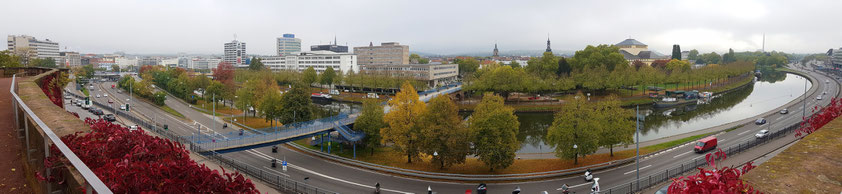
[722, 180]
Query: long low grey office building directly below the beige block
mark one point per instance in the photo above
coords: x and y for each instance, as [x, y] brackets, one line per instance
[433, 74]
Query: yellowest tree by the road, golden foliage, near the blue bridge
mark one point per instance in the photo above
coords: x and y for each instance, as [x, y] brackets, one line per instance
[403, 118]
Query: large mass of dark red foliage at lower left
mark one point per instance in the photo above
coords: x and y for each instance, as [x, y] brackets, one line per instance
[133, 162]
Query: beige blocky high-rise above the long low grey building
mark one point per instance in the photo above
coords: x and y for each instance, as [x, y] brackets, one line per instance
[388, 53]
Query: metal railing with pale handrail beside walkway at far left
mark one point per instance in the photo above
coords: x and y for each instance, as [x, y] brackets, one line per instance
[93, 183]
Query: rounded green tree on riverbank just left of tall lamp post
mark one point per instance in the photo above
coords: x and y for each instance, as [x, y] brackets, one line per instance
[617, 123]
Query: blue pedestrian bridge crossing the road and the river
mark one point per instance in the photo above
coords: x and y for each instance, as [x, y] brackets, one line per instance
[244, 140]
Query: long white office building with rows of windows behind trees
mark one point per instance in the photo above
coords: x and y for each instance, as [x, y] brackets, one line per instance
[319, 60]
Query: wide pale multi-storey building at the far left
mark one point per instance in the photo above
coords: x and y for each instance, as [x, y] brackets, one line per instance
[28, 47]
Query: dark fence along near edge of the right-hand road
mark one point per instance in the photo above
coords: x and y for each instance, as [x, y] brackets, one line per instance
[656, 178]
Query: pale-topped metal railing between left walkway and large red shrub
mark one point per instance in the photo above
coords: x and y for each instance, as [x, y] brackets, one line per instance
[32, 124]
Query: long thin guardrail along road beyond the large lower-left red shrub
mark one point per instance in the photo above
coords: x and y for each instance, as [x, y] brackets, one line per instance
[272, 179]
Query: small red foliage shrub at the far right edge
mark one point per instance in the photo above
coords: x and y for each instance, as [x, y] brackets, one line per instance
[819, 119]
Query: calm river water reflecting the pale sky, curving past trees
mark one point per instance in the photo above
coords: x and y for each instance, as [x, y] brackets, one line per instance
[773, 90]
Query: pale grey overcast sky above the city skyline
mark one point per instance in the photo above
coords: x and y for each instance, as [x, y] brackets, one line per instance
[430, 26]
